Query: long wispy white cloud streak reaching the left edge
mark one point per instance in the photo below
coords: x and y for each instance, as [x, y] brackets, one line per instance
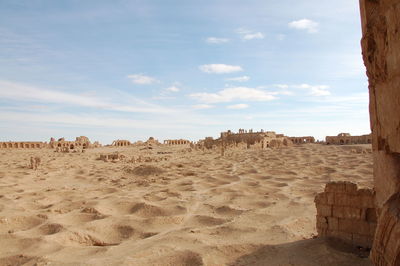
[20, 92]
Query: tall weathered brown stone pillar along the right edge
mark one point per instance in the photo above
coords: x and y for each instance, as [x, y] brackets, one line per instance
[381, 53]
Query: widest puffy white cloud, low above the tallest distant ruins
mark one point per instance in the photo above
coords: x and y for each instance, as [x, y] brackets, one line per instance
[235, 93]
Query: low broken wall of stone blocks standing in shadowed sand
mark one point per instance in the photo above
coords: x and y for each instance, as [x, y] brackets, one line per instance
[347, 213]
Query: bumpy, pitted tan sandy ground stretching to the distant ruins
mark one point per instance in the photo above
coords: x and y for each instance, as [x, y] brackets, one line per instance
[249, 207]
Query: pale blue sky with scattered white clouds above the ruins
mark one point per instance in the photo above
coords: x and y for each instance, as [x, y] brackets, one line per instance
[180, 69]
